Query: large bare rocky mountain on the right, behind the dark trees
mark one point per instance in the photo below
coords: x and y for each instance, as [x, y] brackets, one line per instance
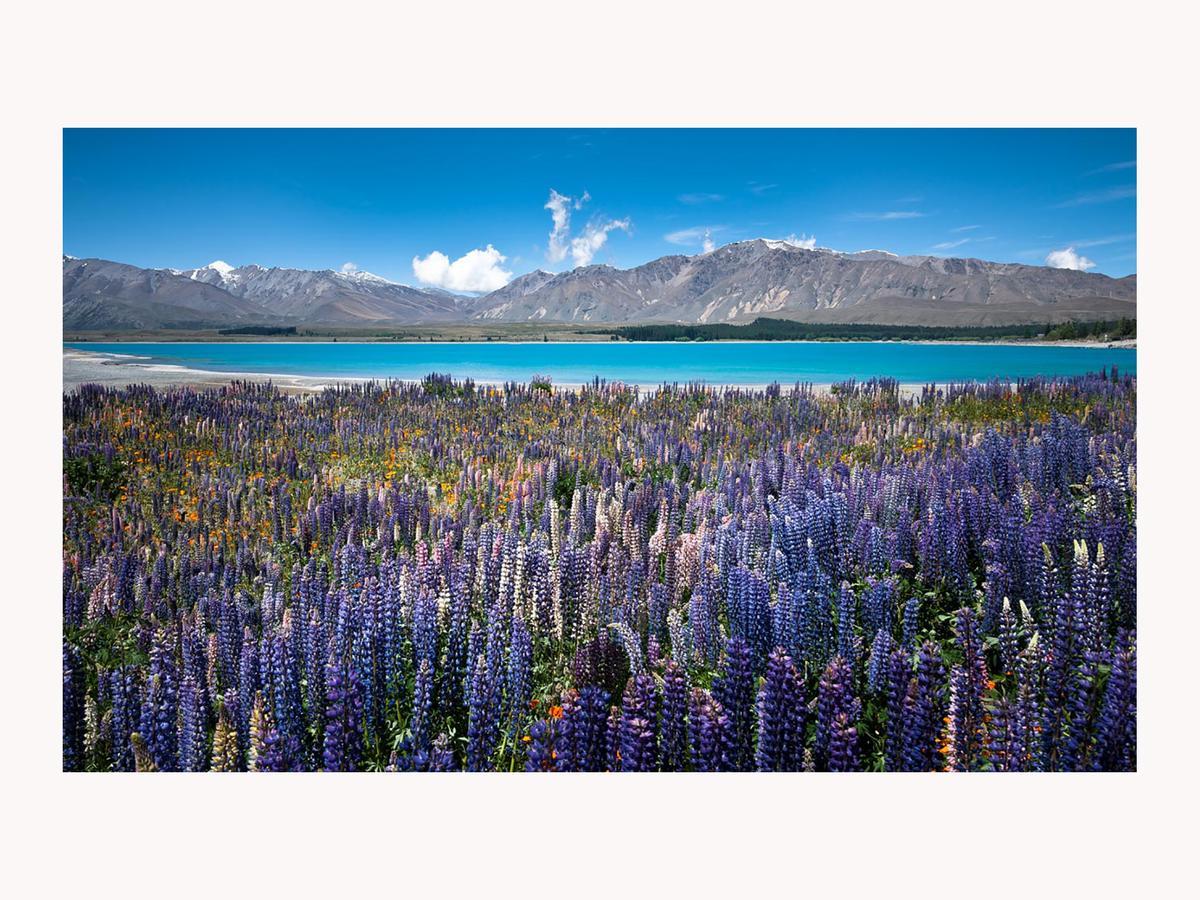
[743, 281]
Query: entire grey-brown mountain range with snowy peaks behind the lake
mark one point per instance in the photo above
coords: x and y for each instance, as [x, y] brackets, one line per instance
[735, 284]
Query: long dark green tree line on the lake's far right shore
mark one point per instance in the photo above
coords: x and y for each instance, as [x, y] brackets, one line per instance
[766, 329]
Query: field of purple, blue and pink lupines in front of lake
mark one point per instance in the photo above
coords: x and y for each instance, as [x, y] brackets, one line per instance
[442, 577]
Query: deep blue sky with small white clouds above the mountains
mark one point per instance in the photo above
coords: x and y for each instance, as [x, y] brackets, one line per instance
[467, 209]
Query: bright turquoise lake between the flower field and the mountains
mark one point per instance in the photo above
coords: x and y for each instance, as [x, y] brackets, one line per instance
[727, 363]
